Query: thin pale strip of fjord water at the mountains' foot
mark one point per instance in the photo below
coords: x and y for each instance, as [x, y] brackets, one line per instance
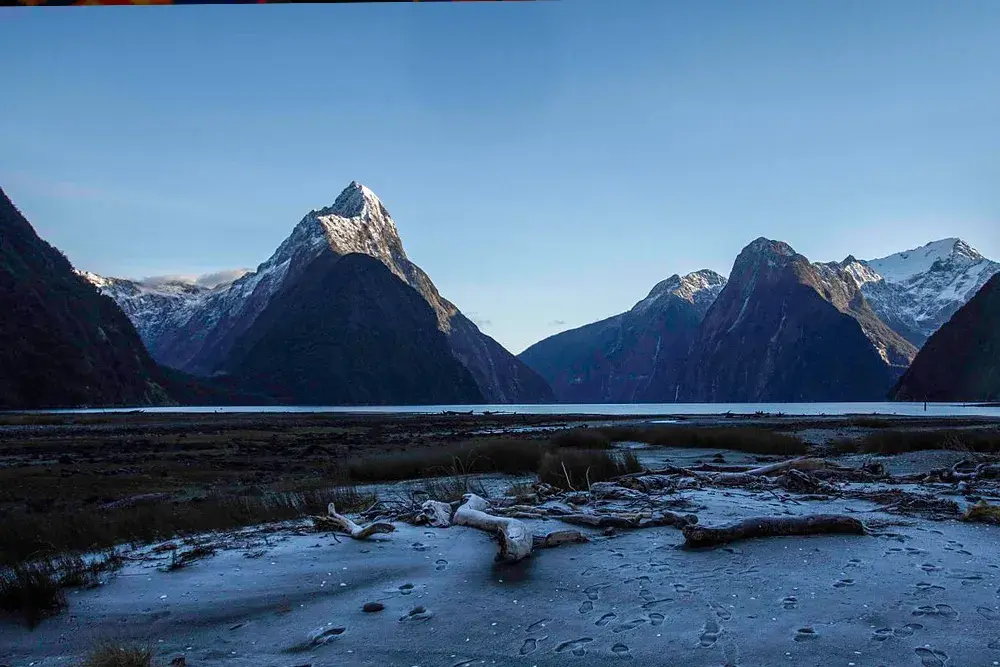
[651, 409]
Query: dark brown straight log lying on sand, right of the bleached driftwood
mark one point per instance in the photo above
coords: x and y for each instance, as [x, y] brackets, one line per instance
[818, 524]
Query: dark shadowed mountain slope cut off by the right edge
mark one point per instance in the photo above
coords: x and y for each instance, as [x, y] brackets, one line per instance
[961, 361]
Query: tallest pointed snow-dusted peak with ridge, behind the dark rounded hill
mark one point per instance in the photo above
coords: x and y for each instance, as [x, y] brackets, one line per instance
[196, 332]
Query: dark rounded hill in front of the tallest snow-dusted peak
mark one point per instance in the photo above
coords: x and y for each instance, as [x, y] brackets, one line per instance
[350, 332]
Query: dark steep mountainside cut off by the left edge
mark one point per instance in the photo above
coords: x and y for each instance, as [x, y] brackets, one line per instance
[62, 344]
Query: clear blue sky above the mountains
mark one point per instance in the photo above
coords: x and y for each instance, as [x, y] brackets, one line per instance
[546, 163]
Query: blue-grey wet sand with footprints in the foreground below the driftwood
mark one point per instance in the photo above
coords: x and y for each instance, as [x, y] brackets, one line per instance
[918, 593]
